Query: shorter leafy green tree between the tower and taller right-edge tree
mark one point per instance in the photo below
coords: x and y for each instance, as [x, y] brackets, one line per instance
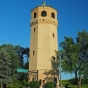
[70, 56]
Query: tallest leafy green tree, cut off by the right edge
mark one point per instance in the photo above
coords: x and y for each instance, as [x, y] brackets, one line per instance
[82, 42]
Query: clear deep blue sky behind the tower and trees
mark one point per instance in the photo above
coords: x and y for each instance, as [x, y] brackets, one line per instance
[15, 16]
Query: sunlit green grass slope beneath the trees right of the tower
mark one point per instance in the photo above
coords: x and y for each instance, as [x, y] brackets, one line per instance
[67, 84]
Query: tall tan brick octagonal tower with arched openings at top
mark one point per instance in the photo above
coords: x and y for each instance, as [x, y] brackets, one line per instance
[43, 43]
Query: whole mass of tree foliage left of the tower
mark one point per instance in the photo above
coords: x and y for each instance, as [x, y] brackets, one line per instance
[11, 58]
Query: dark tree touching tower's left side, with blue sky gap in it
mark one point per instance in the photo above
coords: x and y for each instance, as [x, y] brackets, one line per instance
[23, 54]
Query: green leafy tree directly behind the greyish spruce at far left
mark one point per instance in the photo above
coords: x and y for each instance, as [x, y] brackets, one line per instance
[15, 60]
